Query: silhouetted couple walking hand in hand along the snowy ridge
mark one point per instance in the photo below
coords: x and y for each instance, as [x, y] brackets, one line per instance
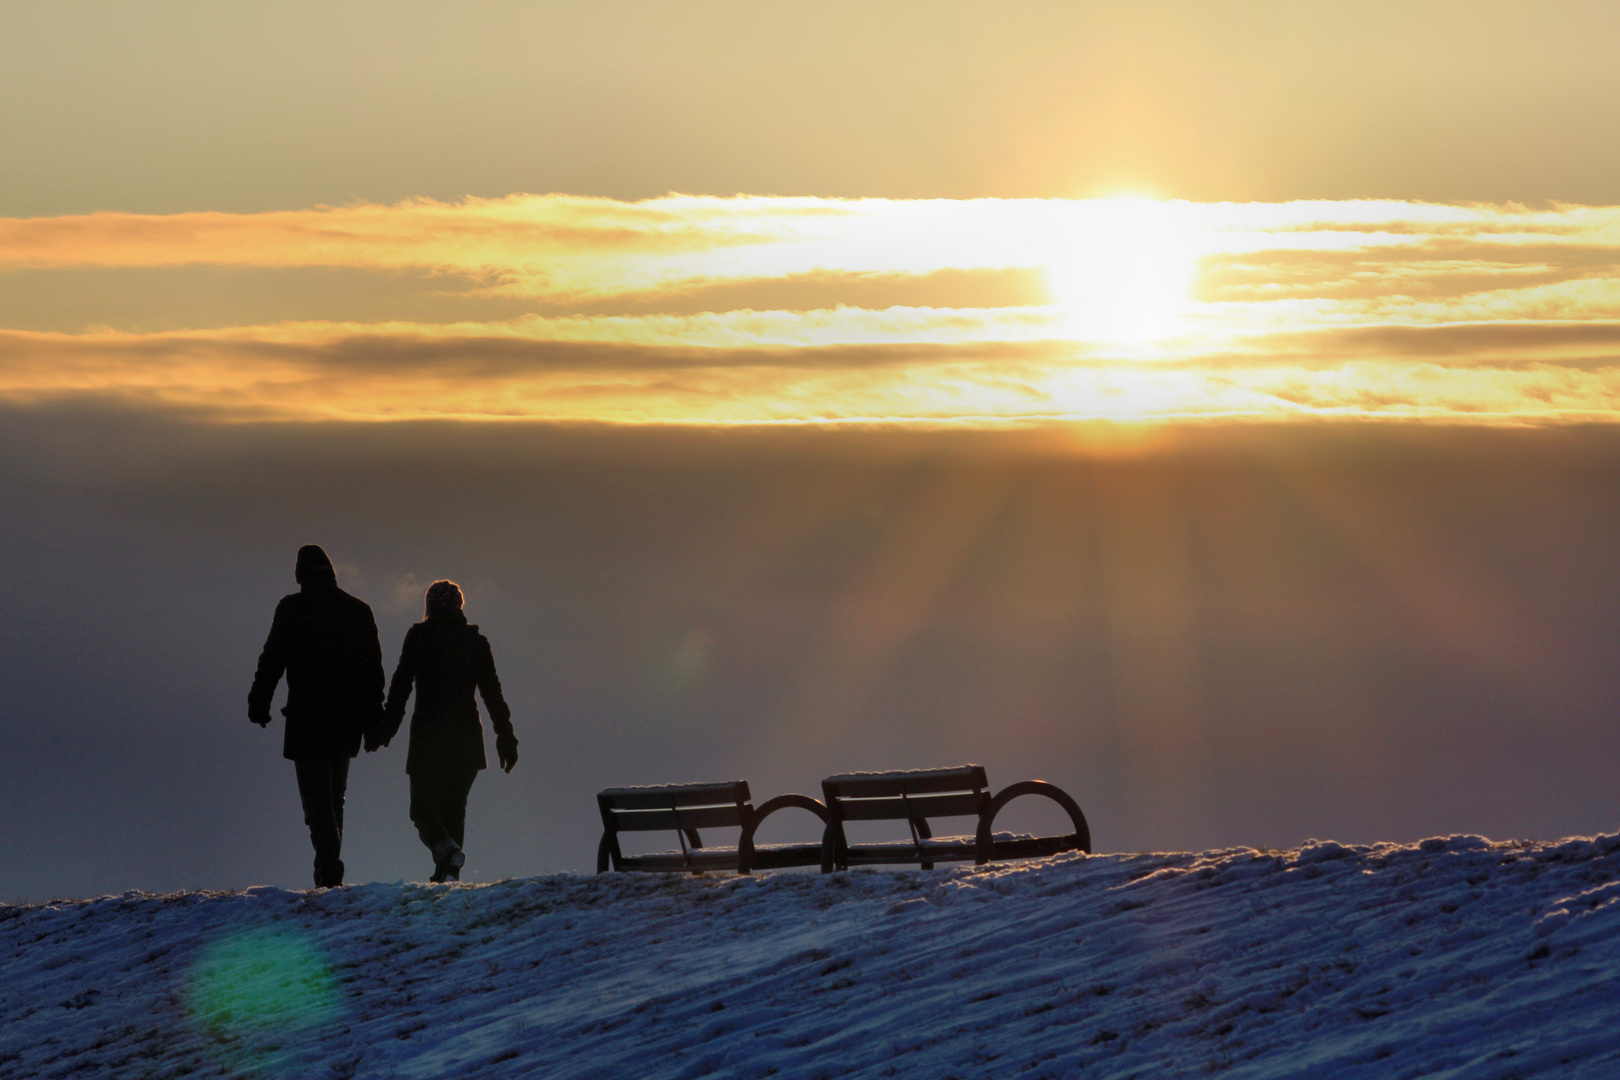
[326, 644]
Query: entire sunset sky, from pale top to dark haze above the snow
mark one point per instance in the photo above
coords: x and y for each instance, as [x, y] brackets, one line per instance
[1208, 407]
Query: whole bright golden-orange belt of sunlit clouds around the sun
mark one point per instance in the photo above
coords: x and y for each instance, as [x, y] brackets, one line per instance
[1133, 310]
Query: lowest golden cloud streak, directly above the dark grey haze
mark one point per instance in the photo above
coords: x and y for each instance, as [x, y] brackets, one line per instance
[338, 373]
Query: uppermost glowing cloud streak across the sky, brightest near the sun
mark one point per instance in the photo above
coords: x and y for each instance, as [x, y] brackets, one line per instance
[569, 247]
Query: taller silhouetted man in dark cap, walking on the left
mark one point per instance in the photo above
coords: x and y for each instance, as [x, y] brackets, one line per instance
[326, 642]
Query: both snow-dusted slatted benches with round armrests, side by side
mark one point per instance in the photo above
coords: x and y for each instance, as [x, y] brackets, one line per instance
[913, 797]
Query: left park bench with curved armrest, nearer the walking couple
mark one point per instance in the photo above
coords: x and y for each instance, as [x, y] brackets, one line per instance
[684, 809]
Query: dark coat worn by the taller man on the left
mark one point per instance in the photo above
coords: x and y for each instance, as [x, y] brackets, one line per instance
[326, 642]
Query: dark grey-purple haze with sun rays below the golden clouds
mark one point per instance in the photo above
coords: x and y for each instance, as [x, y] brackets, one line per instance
[1227, 637]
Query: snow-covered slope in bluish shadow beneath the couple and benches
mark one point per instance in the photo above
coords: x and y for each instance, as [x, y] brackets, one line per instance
[1454, 958]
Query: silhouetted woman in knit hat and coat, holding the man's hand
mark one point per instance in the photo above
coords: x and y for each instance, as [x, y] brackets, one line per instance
[448, 660]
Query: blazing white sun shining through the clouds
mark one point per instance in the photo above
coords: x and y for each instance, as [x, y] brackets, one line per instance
[1123, 270]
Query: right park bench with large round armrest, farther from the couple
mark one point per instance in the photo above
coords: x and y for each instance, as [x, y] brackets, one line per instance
[923, 794]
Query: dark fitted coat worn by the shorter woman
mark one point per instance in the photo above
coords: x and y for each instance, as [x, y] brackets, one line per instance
[446, 658]
